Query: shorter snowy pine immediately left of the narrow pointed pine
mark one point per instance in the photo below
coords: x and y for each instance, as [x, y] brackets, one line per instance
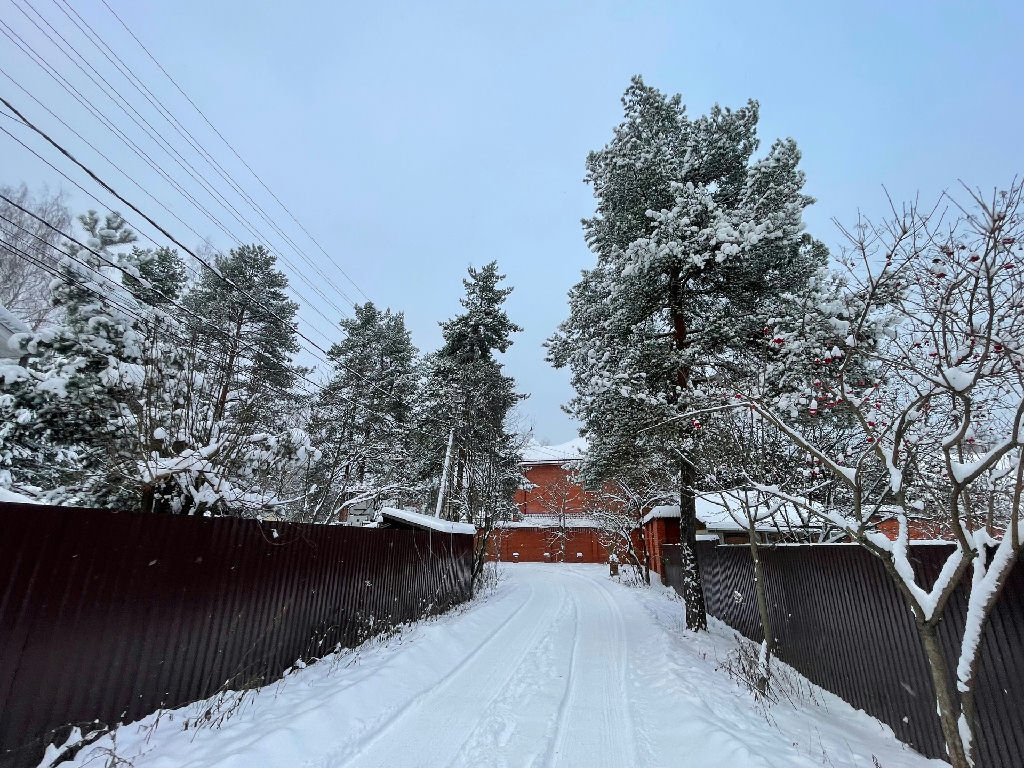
[362, 420]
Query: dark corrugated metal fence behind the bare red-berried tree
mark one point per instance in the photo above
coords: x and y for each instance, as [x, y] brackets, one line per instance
[840, 622]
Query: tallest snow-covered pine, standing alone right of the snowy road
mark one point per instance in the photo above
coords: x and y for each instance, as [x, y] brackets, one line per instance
[693, 242]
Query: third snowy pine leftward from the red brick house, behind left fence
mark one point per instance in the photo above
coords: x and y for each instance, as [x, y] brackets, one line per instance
[243, 438]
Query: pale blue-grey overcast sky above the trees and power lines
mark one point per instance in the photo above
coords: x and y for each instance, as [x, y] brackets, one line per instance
[413, 140]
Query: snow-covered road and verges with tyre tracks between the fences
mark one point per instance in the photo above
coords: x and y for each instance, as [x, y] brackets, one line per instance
[557, 666]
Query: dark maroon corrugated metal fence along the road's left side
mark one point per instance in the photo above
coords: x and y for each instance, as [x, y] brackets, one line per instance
[106, 617]
